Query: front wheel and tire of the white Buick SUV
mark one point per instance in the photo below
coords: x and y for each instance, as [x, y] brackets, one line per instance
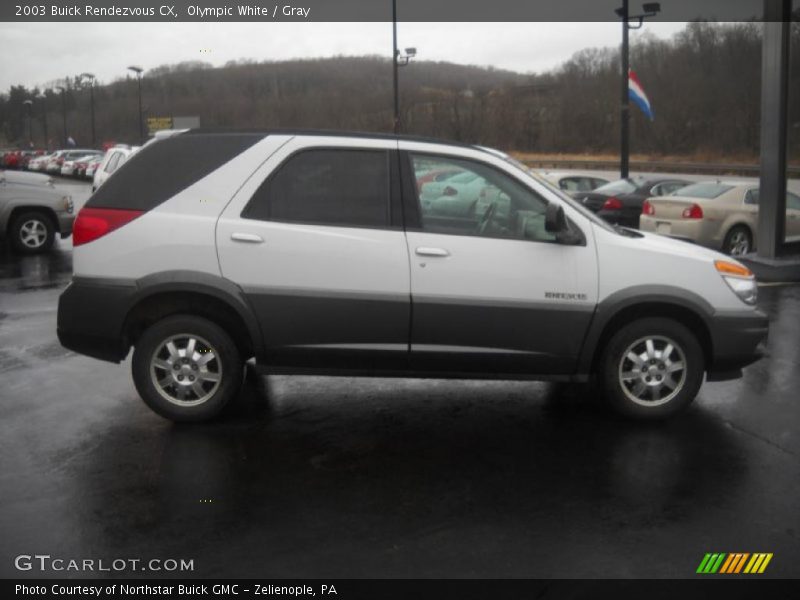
[642, 390]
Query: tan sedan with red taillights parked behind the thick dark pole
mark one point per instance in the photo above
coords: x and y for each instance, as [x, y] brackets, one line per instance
[719, 215]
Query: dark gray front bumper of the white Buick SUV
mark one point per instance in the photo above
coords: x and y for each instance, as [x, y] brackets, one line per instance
[737, 340]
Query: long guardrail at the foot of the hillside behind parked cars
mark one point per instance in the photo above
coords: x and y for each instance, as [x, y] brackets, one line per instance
[655, 167]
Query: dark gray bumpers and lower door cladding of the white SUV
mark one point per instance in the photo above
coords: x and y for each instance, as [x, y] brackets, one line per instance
[361, 334]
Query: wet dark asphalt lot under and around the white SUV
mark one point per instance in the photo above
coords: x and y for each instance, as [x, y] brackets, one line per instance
[338, 477]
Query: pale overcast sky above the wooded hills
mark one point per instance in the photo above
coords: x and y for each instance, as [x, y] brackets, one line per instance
[38, 53]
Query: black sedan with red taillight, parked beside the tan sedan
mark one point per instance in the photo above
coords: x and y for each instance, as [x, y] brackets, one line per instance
[620, 202]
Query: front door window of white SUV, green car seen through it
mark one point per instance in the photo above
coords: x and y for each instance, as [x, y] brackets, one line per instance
[479, 201]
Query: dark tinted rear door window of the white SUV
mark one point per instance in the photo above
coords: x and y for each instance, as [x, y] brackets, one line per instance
[326, 187]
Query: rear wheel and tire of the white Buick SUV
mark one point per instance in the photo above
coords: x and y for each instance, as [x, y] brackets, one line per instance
[209, 338]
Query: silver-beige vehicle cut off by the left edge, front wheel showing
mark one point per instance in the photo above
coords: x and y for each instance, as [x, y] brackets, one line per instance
[32, 211]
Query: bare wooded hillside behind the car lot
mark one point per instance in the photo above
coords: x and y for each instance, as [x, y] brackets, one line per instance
[704, 85]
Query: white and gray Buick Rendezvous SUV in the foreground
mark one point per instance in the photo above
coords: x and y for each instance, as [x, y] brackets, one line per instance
[312, 253]
